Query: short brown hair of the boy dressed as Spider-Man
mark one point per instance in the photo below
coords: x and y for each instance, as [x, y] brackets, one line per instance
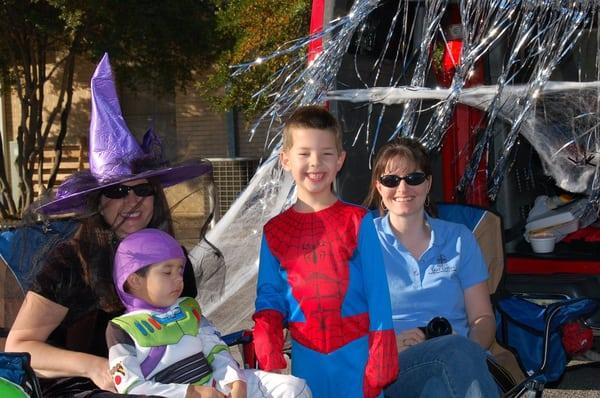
[312, 117]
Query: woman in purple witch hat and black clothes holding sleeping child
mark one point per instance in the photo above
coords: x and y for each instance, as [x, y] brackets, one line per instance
[63, 317]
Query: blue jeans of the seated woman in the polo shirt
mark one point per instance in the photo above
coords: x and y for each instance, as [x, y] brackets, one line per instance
[445, 367]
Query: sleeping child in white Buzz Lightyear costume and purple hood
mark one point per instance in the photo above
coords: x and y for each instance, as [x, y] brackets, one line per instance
[163, 345]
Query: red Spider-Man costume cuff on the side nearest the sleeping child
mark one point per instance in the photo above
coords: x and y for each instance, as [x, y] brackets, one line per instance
[268, 339]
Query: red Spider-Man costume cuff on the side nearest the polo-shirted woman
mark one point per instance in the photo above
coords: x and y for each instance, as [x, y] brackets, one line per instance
[382, 366]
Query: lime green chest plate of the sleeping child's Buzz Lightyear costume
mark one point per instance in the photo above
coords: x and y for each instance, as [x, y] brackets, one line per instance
[155, 329]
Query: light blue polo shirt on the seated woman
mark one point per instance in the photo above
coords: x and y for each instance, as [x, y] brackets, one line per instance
[434, 284]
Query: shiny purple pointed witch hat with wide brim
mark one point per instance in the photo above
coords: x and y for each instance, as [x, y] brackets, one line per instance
[114, 154]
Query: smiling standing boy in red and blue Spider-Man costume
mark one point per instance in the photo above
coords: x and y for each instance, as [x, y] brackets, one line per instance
[321, 274]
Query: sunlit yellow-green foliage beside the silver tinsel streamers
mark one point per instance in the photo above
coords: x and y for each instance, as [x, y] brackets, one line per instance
[249, 29]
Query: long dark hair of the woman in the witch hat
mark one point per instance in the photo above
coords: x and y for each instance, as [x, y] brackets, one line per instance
[96, 242]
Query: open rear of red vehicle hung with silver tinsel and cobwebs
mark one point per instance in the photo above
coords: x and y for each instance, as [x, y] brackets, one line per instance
[572, 269]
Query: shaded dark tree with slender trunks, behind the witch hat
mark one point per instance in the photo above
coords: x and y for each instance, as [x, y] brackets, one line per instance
[155, 42]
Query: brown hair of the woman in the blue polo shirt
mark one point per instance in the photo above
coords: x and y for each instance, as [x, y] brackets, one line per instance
[403, 147]
